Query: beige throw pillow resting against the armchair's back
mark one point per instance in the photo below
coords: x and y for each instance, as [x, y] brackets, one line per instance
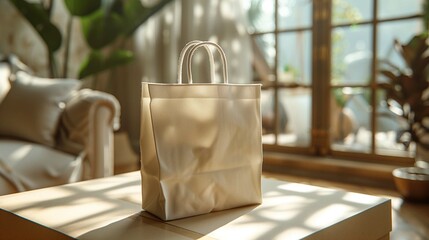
[32, 107]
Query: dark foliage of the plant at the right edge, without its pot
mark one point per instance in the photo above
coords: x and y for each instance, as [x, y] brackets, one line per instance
[407, 87]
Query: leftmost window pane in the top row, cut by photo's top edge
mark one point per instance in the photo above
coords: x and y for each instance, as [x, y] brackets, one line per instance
[260, 14]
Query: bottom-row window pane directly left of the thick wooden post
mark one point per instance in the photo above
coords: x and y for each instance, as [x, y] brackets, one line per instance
[294, 117]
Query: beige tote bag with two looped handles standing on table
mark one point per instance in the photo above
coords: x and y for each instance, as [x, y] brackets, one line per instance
[200, 144]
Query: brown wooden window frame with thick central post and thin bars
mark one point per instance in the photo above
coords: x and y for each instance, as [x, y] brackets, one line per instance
[321, 87]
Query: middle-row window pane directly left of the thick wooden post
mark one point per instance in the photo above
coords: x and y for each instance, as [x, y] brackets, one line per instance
[294, 64]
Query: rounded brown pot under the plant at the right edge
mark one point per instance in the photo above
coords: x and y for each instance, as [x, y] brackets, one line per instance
[412, 183]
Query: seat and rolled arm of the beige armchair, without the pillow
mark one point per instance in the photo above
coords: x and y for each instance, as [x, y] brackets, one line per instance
[84, 147]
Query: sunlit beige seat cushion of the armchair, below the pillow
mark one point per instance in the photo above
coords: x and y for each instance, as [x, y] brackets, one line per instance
[35, 166]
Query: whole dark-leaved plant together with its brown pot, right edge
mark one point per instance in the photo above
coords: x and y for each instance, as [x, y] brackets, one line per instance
[407, 93]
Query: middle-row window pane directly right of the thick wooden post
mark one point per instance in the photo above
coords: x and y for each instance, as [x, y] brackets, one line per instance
[351, 55]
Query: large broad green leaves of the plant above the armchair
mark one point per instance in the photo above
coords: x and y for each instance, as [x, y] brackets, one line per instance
[104, 25]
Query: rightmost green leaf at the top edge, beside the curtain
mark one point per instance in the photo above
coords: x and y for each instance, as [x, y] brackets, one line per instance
[136, 14]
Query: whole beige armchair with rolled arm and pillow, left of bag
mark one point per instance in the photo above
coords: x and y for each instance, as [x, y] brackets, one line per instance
[52, 132]
